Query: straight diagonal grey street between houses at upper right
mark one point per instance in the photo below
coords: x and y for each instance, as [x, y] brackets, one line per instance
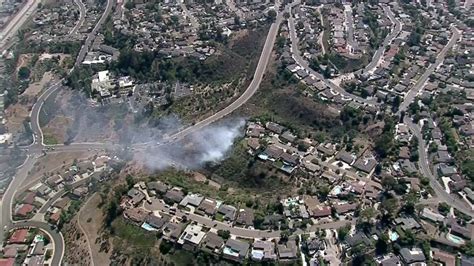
[410, 96]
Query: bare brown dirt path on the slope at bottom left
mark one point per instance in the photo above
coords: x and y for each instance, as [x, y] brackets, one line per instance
[90, 220]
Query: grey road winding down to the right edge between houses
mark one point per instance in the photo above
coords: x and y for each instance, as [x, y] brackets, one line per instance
[424, 165]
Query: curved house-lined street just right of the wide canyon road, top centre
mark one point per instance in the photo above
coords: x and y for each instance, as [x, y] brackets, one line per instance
[303, 63]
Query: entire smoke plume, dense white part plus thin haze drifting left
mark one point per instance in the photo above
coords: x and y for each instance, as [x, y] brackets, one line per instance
[114, 123]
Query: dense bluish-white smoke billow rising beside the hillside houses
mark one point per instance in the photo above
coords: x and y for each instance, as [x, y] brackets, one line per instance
[210, 144]
